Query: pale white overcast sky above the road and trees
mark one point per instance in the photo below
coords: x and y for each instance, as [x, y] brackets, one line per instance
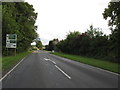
[57, 17]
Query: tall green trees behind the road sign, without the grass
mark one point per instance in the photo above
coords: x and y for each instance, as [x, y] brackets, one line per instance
[18, 18]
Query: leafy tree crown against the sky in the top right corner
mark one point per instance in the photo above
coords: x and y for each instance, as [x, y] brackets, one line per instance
[113, 13]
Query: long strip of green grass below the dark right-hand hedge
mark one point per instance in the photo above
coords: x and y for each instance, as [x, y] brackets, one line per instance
[94, 62]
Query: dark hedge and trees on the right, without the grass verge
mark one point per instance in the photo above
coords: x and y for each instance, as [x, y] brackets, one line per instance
[93, 43]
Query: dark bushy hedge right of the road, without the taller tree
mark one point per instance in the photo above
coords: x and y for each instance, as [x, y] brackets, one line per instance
[92, 43]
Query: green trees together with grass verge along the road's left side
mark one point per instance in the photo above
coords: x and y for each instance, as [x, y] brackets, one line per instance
[18, 18]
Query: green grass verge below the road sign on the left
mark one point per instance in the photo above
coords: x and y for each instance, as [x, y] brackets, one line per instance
[9, 61]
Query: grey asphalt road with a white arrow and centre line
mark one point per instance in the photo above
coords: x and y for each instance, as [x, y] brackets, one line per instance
[43, 70]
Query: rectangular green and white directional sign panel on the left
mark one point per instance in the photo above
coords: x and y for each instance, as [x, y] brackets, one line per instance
[11, 41]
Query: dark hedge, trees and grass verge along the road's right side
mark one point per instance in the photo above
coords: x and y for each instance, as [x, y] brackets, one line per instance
[93, 47]
